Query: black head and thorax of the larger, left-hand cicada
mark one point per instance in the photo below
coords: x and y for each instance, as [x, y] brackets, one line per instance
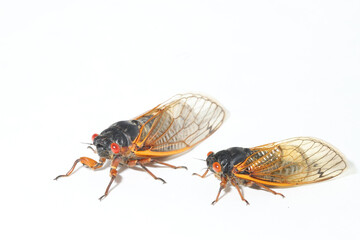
[123, 133]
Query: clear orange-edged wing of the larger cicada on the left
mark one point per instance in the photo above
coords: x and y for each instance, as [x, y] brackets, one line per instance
[178, 125]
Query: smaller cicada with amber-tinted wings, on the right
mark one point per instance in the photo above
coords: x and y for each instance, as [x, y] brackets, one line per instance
[287, 163]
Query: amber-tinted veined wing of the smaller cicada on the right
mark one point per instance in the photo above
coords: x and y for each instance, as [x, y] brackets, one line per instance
[294, 161]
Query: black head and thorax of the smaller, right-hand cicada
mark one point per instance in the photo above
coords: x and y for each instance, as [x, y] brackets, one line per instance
[228, 159]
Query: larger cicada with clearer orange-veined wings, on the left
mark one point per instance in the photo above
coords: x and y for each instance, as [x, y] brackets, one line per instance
[169, 129]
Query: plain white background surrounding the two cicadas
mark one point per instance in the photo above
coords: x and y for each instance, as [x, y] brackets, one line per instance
[69, 69]
